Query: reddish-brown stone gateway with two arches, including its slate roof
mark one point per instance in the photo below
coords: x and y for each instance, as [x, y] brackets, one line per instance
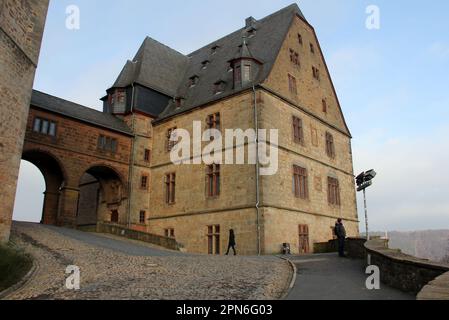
[84, 159]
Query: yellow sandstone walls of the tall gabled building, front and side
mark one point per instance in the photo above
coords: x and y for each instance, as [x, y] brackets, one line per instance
[281, 212]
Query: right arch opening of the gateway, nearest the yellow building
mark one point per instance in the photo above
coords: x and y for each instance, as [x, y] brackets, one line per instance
[101, 197]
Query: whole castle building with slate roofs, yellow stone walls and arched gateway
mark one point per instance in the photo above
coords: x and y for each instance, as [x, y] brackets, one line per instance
[270, 74]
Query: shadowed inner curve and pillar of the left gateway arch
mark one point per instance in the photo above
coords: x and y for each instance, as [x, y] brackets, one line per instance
[55, 178]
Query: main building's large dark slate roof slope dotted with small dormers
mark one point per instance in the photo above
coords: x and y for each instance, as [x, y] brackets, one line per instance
[264, 46]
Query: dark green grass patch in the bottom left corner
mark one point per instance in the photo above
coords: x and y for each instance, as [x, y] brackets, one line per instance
[14, 265]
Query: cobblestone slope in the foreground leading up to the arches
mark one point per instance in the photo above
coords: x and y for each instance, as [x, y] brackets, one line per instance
[113, 275]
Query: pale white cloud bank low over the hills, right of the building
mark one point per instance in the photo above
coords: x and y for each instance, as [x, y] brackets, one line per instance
[410, 191]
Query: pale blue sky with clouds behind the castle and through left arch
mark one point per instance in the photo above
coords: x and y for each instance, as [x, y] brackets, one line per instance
[392, 83]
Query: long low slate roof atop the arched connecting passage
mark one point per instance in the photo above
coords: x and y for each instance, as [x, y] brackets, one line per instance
[78, 112]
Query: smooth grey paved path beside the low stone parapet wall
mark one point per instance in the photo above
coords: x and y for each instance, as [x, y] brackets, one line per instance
[328, 277]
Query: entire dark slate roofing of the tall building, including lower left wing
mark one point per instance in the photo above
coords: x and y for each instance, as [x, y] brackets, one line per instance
[168, 71]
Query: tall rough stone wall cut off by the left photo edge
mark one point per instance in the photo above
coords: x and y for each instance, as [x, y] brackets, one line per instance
[21, 29]
